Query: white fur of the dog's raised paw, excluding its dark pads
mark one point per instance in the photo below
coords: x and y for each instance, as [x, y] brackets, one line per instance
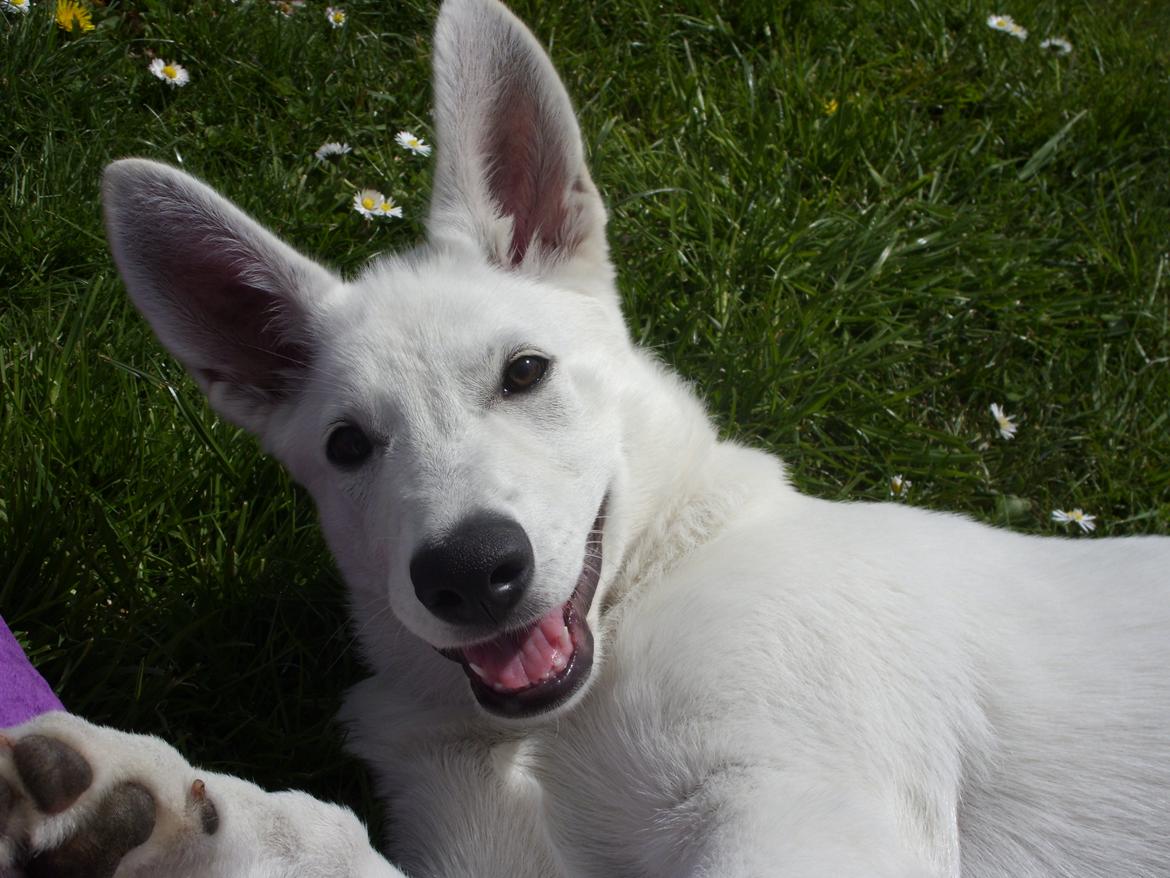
[260, 835]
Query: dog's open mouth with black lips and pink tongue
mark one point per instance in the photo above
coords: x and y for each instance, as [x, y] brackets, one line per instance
[538, 668]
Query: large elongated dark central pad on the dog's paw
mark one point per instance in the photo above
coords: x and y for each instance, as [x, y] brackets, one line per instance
[121, 822]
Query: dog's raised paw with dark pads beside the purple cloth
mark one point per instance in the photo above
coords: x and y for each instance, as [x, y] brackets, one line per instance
[80, 801]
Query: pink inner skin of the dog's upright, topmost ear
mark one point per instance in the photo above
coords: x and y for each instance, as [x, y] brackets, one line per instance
[528, 174]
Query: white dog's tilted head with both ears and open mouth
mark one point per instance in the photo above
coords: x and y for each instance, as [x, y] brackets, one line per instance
[455, 411]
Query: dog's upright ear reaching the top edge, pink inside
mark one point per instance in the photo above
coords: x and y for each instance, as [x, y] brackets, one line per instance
[511, 172]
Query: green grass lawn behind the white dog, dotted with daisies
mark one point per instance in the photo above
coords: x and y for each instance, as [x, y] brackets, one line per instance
[978, 222]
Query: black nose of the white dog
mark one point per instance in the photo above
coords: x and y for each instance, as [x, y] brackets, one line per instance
[477, 574]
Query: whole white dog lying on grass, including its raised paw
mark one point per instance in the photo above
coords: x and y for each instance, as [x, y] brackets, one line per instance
[604, 643]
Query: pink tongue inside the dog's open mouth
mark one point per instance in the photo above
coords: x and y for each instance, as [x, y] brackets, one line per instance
[524, 658]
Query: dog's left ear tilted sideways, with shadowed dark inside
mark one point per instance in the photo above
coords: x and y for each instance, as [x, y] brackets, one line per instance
[225, 296]
